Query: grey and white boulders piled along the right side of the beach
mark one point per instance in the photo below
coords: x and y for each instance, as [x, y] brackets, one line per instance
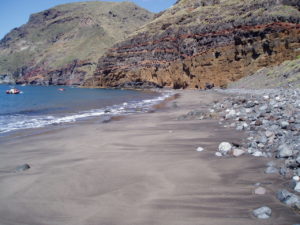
[272, 120]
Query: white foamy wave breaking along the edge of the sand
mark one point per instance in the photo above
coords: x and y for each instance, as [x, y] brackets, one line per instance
[9, 123]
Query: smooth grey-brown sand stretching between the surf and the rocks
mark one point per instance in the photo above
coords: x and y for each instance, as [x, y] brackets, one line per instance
[141, 170]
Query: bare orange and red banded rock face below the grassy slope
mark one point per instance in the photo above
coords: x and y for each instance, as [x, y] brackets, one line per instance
[190, 60]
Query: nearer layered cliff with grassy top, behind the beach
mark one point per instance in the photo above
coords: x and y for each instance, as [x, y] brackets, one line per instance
[204, 41]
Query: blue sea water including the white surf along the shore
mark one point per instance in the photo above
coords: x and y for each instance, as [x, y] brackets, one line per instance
[39, 106]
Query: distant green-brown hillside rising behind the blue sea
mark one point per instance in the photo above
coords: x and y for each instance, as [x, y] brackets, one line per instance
[63, 44]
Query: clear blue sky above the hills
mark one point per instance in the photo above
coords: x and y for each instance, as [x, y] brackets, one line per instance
[14, 13]
